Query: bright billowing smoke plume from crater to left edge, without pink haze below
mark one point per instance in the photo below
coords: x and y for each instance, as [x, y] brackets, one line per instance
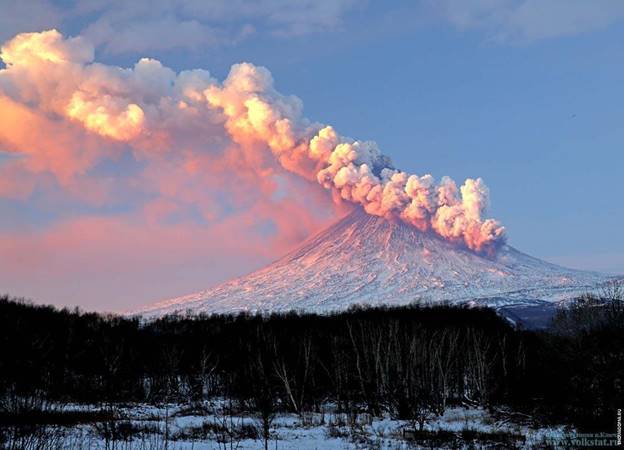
[150, 106]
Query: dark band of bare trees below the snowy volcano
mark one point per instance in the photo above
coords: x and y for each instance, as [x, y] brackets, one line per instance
[411, 362]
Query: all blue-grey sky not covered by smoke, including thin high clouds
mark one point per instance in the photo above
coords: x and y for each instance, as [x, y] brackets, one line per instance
[527, 95]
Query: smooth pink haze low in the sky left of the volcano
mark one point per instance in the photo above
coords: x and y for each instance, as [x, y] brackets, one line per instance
[114, 263]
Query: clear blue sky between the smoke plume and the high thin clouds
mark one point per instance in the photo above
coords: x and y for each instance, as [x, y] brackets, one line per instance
[540, 119]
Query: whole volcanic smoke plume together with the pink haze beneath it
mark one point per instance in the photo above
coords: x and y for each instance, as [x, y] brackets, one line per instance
[211, 168]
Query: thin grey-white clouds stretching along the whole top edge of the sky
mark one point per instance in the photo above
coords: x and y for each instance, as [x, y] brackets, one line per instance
[137, 26]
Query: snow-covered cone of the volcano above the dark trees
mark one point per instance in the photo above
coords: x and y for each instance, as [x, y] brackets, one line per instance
[362, 259]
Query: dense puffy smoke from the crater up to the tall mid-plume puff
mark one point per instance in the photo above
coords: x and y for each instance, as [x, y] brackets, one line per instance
[356, 170]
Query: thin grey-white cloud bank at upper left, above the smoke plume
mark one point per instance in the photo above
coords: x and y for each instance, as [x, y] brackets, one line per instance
[120, 26]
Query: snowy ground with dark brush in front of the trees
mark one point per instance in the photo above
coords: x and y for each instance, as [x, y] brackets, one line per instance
[219, 426]
